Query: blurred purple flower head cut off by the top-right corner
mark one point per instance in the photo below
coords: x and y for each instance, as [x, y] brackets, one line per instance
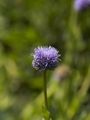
[80, 5]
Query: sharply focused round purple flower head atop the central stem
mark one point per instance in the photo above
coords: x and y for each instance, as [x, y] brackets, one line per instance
[45, 58]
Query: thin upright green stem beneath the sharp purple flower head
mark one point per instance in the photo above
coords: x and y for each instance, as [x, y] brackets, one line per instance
[45, 90]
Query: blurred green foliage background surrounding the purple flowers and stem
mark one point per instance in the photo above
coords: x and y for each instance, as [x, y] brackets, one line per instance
[26, 24]
